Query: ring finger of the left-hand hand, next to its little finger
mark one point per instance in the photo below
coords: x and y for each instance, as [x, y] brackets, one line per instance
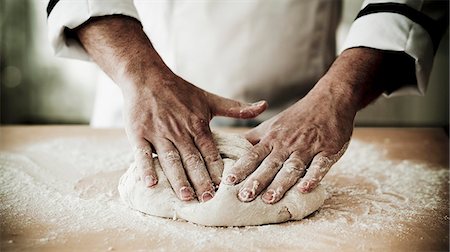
[170, 161]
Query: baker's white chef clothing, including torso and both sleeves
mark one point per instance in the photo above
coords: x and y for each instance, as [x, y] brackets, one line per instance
[250, 50]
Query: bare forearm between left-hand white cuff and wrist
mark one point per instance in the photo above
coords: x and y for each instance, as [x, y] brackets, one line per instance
[121, 48]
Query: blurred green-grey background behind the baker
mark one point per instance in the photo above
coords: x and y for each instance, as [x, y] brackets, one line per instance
[39, 88]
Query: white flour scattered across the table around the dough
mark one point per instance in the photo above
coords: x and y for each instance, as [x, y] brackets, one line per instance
[62, 191]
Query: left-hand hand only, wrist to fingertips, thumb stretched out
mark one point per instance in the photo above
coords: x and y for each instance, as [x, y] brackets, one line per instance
[169, 116]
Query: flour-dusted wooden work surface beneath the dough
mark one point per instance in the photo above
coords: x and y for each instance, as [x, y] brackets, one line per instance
[59, 168]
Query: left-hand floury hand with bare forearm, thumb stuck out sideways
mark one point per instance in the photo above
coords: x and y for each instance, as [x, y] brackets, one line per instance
[163, 113]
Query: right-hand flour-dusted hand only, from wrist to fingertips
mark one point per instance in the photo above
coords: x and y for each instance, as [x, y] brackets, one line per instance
[303, 141]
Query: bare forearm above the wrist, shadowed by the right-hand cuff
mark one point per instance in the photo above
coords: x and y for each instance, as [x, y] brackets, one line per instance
[360, 75]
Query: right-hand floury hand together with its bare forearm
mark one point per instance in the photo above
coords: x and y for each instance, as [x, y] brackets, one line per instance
[305, 140]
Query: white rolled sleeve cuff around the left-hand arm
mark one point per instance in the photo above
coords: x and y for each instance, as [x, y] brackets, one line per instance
[64, 15]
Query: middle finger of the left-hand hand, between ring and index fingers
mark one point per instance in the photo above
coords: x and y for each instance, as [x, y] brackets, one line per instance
[196, 170]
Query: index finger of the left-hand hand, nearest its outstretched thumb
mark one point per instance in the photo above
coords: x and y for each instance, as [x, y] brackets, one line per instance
[210, 154]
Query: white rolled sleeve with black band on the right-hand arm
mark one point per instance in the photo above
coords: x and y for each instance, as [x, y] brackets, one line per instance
[400, 26]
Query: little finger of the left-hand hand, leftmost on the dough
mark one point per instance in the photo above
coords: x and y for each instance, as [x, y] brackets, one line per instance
[144, 162]
